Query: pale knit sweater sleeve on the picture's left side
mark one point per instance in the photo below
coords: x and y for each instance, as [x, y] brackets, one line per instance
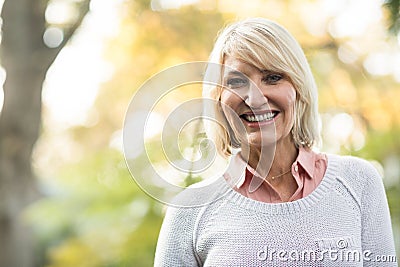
[175, 242]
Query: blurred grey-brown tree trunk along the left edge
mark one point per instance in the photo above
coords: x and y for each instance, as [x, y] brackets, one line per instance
[23, 28]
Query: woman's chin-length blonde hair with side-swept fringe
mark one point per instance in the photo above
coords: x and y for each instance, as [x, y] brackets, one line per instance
[265, 45]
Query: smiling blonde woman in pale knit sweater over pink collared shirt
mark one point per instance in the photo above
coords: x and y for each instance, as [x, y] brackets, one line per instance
[286, 204]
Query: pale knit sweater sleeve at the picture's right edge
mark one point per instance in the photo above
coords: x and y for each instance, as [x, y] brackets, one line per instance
[377, 236]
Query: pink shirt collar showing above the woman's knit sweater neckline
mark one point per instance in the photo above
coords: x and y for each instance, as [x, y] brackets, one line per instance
[308, 170]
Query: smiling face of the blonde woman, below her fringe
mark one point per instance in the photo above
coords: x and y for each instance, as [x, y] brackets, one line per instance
[263, 100]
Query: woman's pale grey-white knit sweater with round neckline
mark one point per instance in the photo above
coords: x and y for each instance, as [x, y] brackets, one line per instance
[345, 221]
